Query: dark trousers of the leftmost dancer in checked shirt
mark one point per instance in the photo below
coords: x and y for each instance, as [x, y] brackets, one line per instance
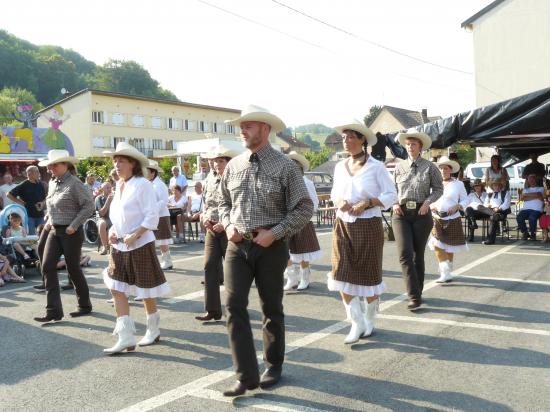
[60, 243]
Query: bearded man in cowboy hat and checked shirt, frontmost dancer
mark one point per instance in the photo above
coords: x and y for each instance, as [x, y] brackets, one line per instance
[263, 200]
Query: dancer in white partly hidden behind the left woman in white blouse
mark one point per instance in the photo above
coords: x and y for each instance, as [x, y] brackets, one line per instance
[163, 234]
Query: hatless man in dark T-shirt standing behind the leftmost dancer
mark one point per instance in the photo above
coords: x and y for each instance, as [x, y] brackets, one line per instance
[31, 193]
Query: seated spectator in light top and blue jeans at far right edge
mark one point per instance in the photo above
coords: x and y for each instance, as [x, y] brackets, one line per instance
[533, 204]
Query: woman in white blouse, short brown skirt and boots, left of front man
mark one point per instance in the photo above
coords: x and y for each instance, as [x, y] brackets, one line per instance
[133, 264]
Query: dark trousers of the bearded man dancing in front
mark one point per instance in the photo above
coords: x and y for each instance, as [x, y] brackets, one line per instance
[244, 262]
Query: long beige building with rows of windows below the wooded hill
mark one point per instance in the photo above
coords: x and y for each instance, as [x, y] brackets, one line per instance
[99, 120]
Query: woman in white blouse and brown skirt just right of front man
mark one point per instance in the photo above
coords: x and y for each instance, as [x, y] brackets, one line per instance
[362, 188]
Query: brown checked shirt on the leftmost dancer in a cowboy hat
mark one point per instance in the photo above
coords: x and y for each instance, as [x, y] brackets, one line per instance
[69, 202]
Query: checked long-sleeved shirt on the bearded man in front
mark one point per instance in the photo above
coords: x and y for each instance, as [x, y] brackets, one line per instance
[263, 190]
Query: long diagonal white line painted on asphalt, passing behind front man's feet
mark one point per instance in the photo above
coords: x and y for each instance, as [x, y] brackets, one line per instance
[202, 383]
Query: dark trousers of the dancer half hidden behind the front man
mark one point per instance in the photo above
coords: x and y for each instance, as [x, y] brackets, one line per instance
[215, 245]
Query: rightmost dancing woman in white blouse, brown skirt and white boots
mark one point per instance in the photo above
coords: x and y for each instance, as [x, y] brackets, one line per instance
[447, 235]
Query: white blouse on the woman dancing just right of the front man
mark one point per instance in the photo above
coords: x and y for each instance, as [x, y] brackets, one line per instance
[372, 181]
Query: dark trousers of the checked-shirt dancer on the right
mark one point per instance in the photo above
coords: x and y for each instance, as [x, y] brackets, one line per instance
[411, 234]
